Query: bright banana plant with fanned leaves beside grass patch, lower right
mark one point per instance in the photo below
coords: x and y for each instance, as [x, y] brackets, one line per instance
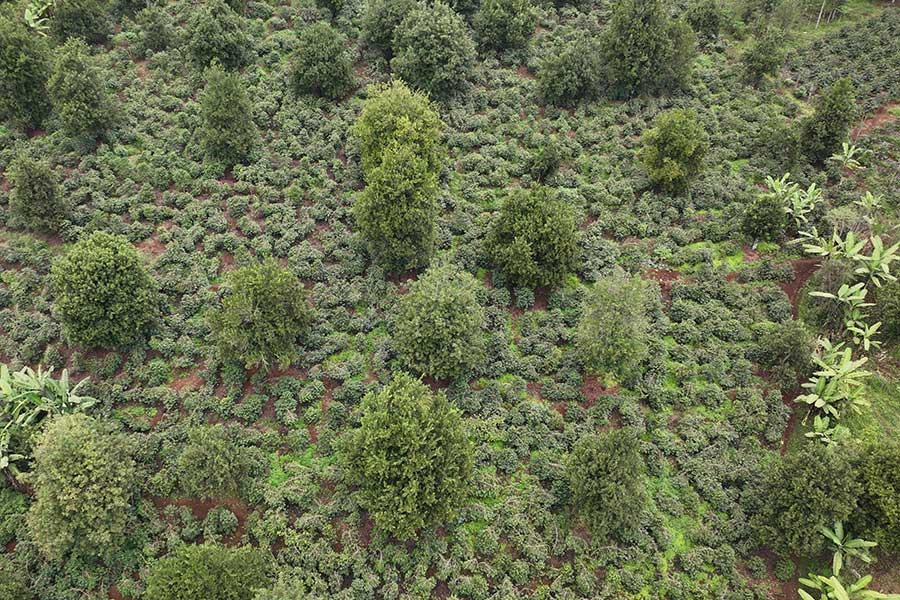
[838, 383]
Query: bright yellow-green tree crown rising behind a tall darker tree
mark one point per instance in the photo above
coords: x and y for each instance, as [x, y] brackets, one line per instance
[394, 112]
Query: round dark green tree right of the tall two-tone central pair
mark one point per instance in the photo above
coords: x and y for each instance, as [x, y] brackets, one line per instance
[534, 239]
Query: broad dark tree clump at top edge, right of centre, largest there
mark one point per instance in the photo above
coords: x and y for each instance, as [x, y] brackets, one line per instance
[645, 51]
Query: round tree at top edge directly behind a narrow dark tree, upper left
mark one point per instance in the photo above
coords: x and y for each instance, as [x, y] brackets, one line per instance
[217, 33]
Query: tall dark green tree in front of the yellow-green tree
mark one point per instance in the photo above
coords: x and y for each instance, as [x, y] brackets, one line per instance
[396, 211]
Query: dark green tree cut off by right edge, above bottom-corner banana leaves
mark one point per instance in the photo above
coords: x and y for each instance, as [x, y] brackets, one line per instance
[878, 515]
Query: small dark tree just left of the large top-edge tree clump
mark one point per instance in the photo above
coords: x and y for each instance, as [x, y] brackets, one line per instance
[570, 73]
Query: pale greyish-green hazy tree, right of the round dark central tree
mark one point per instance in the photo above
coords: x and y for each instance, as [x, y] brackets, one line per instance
[611, 338]
